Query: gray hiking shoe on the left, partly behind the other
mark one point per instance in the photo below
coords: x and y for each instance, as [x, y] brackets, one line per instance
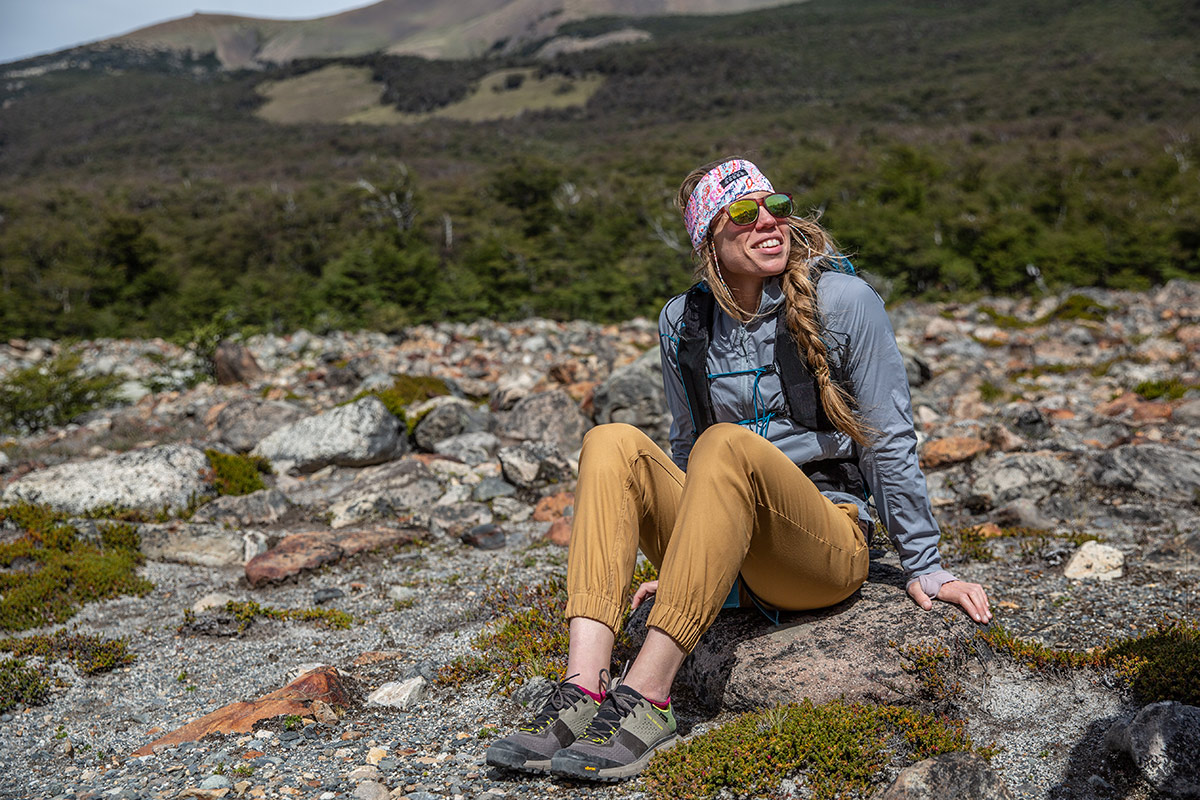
[565, 715]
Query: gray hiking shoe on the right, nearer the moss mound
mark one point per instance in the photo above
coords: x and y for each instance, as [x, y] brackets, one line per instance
[620, 742]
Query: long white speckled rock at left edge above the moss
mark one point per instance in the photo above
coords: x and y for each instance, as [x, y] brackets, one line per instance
[147, 480]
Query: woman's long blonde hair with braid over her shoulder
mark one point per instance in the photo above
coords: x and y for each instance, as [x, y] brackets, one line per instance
[811, 244]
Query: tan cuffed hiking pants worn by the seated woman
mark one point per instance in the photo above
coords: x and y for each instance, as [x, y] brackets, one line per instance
[742, 506]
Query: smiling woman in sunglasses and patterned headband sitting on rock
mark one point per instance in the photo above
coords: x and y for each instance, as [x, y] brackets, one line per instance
[790, 406]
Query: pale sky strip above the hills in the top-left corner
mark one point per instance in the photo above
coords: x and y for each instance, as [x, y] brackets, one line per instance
[34, 27]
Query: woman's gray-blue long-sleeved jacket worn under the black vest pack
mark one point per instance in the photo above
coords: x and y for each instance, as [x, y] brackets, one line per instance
[854, 315]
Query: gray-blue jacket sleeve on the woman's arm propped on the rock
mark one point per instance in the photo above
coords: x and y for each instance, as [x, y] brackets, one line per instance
[855, 312]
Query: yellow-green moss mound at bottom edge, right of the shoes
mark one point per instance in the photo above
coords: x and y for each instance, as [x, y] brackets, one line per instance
[835, 750]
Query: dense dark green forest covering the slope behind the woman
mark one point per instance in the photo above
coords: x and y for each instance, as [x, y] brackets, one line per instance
[953, 147]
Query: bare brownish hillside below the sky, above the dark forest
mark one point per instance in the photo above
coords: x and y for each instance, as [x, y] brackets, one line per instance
[427, 28]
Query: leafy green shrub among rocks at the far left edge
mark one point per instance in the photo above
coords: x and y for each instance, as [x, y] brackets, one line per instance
[52, 394]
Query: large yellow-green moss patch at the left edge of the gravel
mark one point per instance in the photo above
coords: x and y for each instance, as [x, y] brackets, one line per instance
[59, 572]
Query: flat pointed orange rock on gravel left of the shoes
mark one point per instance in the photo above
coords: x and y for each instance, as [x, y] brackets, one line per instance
[323, 685]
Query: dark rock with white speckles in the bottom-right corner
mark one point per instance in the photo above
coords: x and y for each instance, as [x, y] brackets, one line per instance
[1163, 741]
